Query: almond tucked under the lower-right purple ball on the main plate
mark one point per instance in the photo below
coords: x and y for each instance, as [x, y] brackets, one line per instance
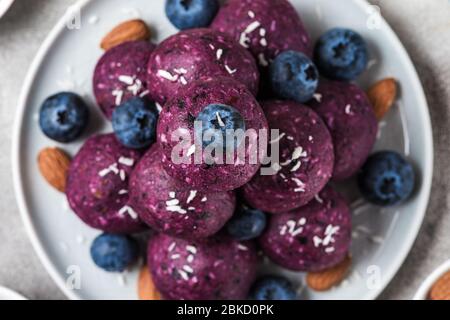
[325, 280]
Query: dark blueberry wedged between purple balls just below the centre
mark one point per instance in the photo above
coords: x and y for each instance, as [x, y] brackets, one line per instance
[247, 223]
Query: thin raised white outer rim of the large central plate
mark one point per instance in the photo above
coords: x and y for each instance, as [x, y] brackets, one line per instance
[37, 244]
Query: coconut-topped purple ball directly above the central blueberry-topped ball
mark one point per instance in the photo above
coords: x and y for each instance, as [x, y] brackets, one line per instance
[190, 55]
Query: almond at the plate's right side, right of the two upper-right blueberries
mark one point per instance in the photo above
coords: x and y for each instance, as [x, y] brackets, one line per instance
[382, 96]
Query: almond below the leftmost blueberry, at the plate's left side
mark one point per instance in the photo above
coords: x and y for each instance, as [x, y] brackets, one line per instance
[53, 165]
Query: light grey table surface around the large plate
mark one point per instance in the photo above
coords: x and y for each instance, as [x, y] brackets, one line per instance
[422, 25]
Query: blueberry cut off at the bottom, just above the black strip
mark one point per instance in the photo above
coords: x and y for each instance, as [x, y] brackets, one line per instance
[273, 288]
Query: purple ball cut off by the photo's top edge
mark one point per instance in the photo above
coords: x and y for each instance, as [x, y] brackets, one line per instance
[265, 27]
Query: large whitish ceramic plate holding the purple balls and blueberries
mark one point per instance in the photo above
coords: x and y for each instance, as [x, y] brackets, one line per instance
[382, 237]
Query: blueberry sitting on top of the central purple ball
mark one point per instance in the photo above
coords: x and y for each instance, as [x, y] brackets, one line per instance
[216, 125]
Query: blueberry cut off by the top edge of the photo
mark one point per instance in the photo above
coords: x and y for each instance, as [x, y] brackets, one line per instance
[189, 14]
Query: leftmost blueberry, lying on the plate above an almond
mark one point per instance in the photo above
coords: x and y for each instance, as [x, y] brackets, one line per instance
[63, 116]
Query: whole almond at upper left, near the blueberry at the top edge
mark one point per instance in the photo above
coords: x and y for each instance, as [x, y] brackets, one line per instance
[131, 30]
